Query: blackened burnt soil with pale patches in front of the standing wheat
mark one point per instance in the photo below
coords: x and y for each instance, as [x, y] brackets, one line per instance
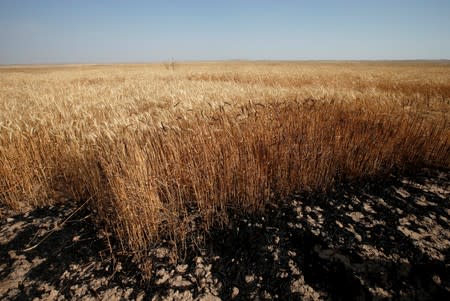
[381, 240]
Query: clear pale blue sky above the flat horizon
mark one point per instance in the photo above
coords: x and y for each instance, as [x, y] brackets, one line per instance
[81, 31]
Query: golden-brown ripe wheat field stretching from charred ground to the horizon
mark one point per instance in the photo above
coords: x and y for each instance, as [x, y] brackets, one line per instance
[171, 151]
